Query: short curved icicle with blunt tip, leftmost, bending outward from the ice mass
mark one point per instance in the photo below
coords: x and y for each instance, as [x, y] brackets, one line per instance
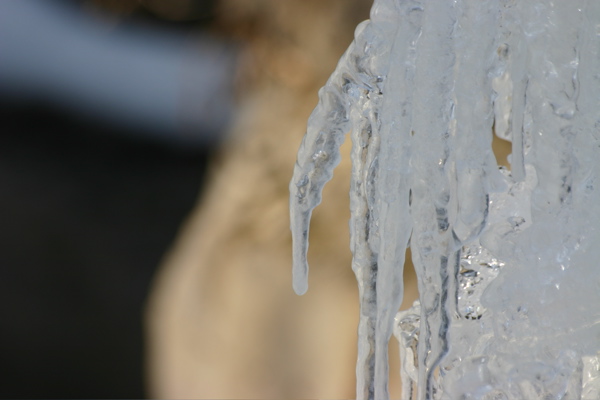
[329, 122]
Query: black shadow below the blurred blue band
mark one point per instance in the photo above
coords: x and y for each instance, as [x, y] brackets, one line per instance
[85, 216]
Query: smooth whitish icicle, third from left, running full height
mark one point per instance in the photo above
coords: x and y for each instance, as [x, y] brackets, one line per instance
[393, 172]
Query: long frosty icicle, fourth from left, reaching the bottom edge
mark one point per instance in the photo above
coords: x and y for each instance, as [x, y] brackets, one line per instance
[432, 238]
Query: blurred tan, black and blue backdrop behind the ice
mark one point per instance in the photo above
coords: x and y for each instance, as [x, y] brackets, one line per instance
[145, 151]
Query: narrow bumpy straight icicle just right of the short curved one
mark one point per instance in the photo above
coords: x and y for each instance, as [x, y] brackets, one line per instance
[372, 69]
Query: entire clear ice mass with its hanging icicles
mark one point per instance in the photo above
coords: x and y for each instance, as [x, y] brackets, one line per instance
[506, 260]
